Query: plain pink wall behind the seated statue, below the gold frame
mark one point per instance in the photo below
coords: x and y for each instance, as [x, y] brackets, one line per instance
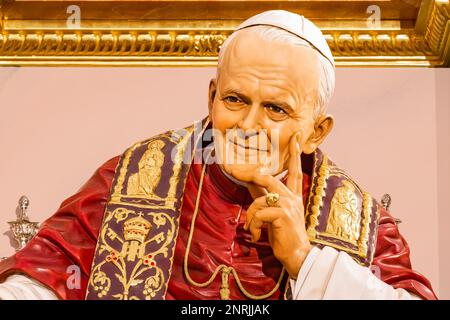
[58, 124]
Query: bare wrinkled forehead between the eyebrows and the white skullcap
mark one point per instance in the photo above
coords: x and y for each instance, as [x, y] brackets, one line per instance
[249, 52]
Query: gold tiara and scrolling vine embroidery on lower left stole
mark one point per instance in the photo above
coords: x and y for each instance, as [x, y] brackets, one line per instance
[135, 245]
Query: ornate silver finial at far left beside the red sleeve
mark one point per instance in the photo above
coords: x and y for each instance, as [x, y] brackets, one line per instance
[22, 228]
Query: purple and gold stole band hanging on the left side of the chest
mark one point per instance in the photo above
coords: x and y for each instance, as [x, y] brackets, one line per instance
[134, 253]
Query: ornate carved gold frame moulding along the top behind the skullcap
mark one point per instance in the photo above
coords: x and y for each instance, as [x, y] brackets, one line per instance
[189, 33]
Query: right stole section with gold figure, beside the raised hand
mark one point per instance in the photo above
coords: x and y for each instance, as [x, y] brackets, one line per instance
[351, 223]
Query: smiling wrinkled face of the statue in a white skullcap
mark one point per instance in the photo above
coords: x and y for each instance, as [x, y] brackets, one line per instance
[265, 96]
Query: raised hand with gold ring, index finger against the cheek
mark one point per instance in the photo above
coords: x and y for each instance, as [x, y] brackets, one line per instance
[285, 218]
